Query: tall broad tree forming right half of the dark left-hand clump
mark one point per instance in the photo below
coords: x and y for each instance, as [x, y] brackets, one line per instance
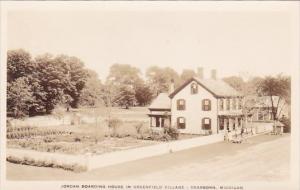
[59, 76]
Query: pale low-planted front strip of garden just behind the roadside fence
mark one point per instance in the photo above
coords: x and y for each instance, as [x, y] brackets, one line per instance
[69, 146]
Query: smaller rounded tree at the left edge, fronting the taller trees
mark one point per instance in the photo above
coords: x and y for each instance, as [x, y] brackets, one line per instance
[19, 97]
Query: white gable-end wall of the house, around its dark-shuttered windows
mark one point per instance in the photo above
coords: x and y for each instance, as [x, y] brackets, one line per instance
[193, 113]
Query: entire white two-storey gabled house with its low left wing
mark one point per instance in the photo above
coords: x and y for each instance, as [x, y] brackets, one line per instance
[199, 106]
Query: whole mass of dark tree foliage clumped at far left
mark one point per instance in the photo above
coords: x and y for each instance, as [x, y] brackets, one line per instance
[49, 81]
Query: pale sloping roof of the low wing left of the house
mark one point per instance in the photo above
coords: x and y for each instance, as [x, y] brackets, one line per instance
[161, 102]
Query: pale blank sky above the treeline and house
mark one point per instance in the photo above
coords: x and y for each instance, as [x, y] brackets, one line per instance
[241, 43]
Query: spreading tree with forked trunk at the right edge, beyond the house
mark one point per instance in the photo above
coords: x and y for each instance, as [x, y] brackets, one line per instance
[276, 86]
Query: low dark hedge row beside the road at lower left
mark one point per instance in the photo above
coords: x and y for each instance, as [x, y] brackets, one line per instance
[46, 163]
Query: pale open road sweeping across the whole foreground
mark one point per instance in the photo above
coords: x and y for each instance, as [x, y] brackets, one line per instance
[263, 157]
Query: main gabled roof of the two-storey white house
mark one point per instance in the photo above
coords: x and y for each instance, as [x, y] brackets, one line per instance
[217, 87]
